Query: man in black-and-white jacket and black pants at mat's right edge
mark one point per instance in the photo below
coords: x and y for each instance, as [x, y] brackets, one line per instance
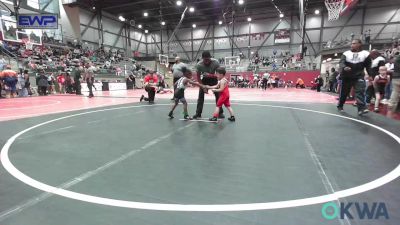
[351, 66]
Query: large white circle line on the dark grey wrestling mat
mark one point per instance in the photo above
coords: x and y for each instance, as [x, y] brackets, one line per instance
[394, 174]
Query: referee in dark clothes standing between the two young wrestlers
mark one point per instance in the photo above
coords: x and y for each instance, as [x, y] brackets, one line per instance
[206, 69]
